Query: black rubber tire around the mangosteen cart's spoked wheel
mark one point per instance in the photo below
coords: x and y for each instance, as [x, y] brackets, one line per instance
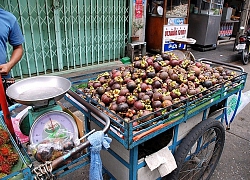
[190, 140]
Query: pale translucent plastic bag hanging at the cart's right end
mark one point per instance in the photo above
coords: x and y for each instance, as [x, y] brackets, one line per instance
[232, 102]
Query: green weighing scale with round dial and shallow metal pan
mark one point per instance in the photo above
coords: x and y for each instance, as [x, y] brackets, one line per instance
[45, 118]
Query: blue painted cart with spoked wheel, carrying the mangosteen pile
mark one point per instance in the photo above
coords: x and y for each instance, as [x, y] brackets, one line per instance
[193, 131]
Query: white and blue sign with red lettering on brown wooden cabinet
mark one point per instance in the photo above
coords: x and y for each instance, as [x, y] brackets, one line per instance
[175, 32]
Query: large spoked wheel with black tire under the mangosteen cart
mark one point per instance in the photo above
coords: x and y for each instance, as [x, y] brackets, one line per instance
[199, 152]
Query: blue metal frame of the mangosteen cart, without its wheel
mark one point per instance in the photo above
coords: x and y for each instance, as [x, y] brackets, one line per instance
[126, 142]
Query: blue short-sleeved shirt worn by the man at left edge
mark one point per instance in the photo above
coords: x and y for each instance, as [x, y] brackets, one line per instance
[9, 32]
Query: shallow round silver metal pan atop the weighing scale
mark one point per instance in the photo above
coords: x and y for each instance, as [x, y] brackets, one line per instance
[39, 90]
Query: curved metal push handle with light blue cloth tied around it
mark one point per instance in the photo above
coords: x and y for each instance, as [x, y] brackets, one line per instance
[74, 151]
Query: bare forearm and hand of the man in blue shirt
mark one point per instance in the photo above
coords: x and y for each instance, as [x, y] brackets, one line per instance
[15, 57]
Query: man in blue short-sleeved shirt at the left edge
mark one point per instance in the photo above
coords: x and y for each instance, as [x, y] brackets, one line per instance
[9, 32]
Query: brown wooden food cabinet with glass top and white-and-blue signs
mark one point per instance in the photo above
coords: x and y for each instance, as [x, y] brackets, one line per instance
[166, 19]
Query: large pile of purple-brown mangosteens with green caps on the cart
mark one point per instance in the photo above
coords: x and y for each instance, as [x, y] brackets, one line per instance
[153, 83]
